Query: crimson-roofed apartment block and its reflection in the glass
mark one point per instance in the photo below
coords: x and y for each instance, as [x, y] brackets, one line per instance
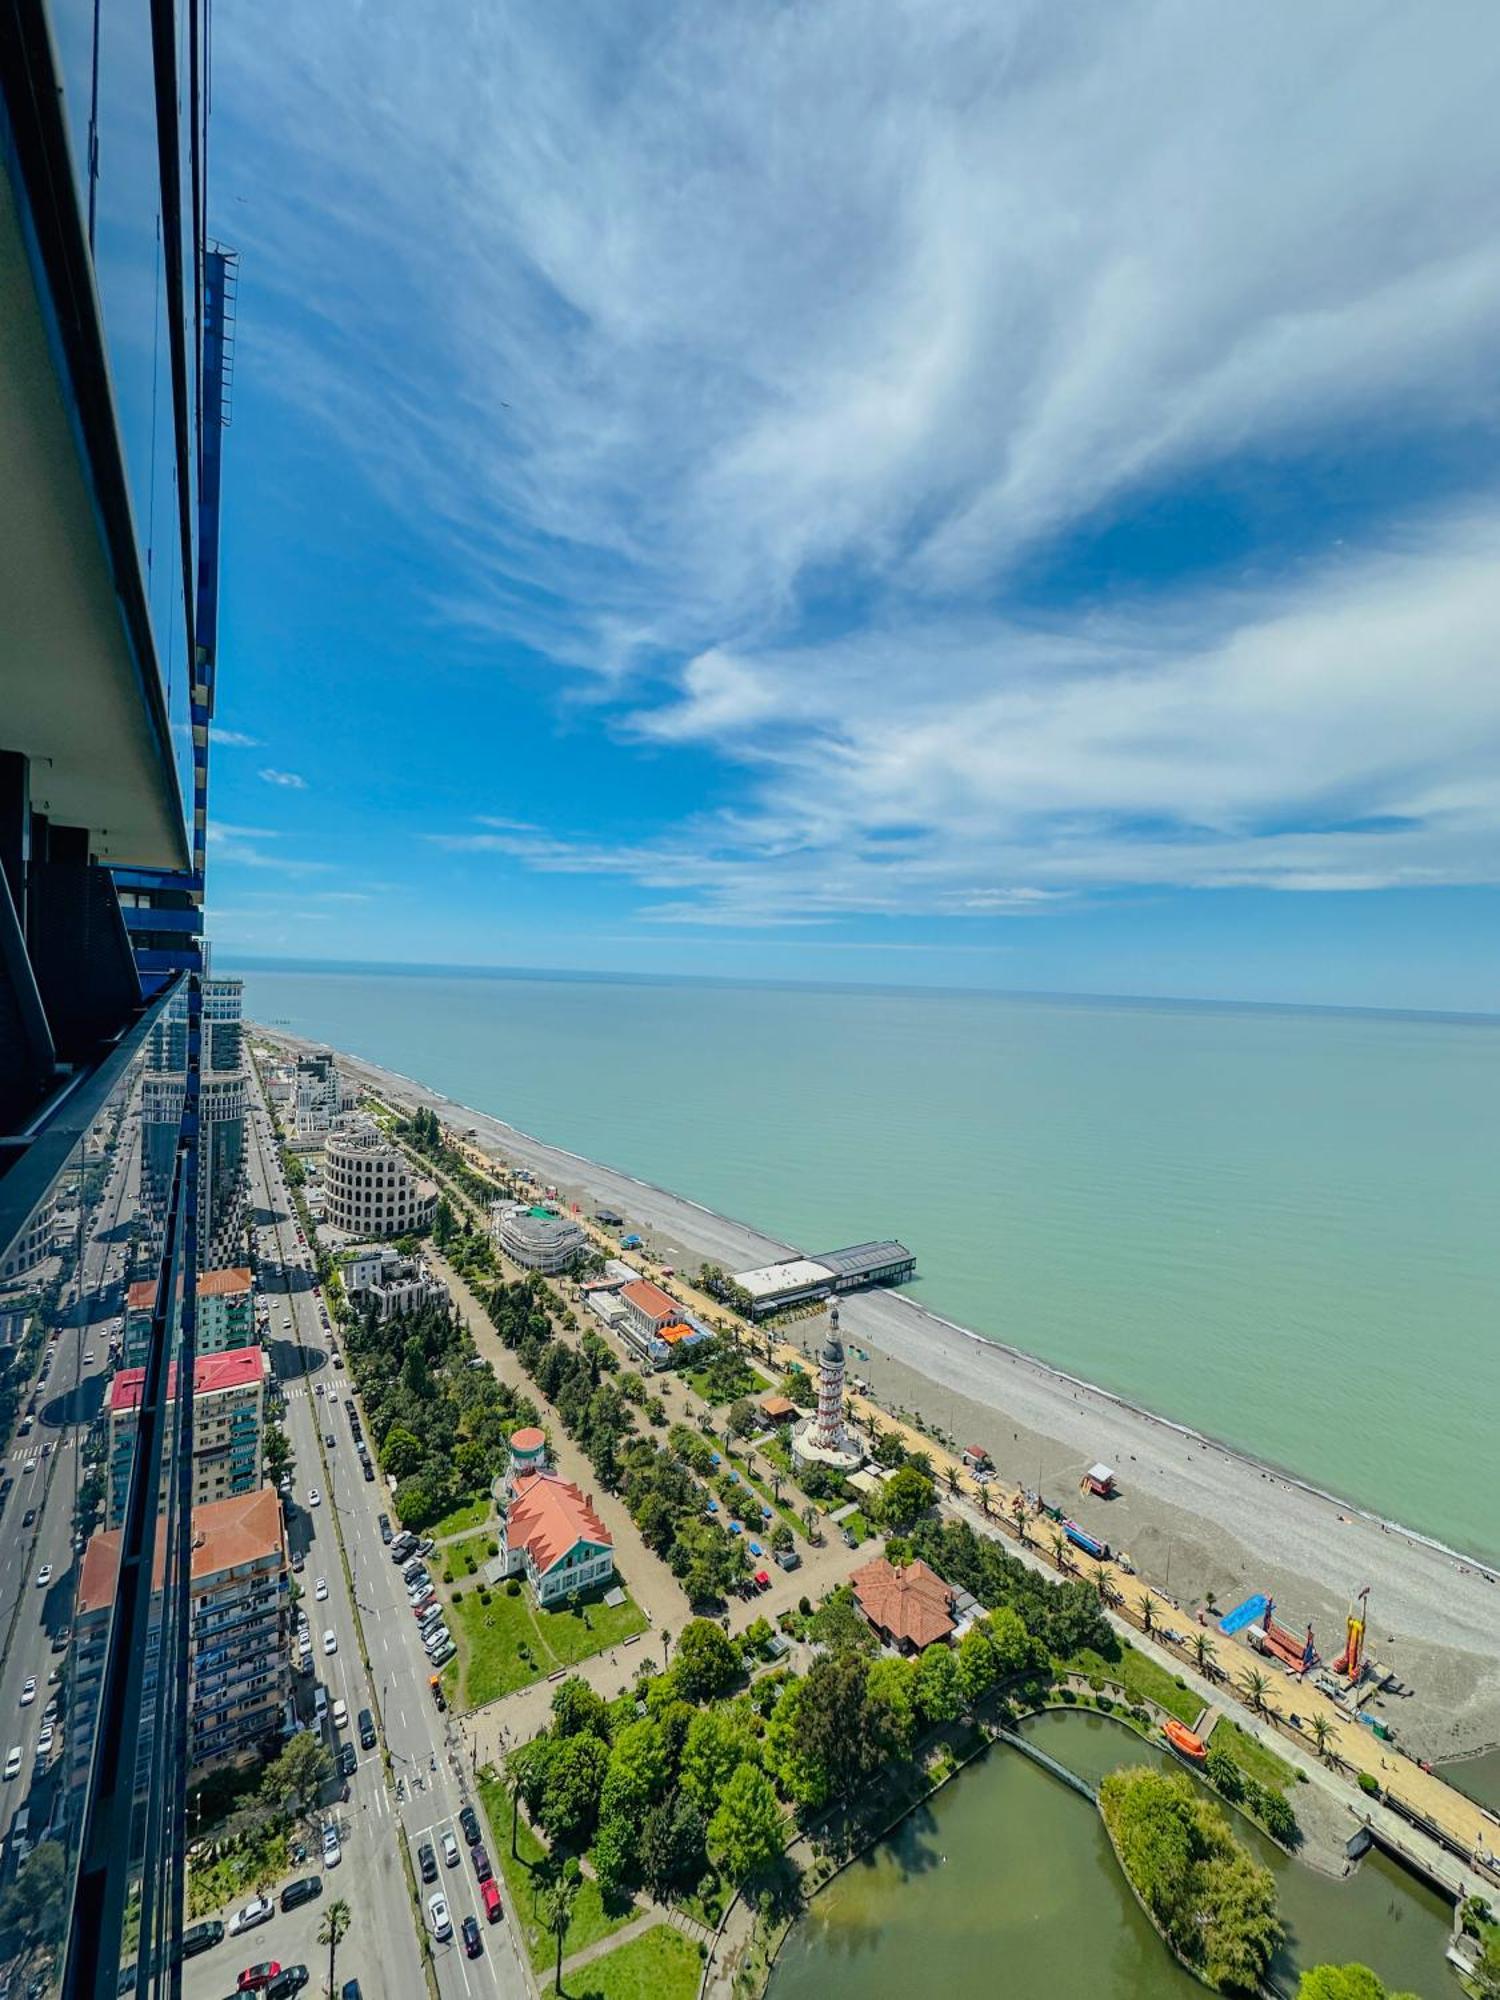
[229, 1427]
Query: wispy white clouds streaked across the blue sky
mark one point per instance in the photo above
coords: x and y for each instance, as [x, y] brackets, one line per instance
[779, 343]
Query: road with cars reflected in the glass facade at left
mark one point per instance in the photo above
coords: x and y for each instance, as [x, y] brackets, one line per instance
[45, 1471]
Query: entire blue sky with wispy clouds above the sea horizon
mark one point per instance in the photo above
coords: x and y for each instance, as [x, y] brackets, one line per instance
[931, 493]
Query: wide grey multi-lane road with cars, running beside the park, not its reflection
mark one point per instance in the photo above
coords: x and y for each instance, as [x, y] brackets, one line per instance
[429, 1779]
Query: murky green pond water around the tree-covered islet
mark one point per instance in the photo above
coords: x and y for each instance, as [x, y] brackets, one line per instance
[1007, 1885]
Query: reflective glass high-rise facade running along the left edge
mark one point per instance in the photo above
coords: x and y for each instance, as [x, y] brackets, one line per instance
[121, 1085]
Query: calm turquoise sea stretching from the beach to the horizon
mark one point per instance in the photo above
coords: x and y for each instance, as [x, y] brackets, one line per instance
[1277, 1227]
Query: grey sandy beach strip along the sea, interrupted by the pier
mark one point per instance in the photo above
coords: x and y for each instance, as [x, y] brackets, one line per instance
[1193, 1515]
